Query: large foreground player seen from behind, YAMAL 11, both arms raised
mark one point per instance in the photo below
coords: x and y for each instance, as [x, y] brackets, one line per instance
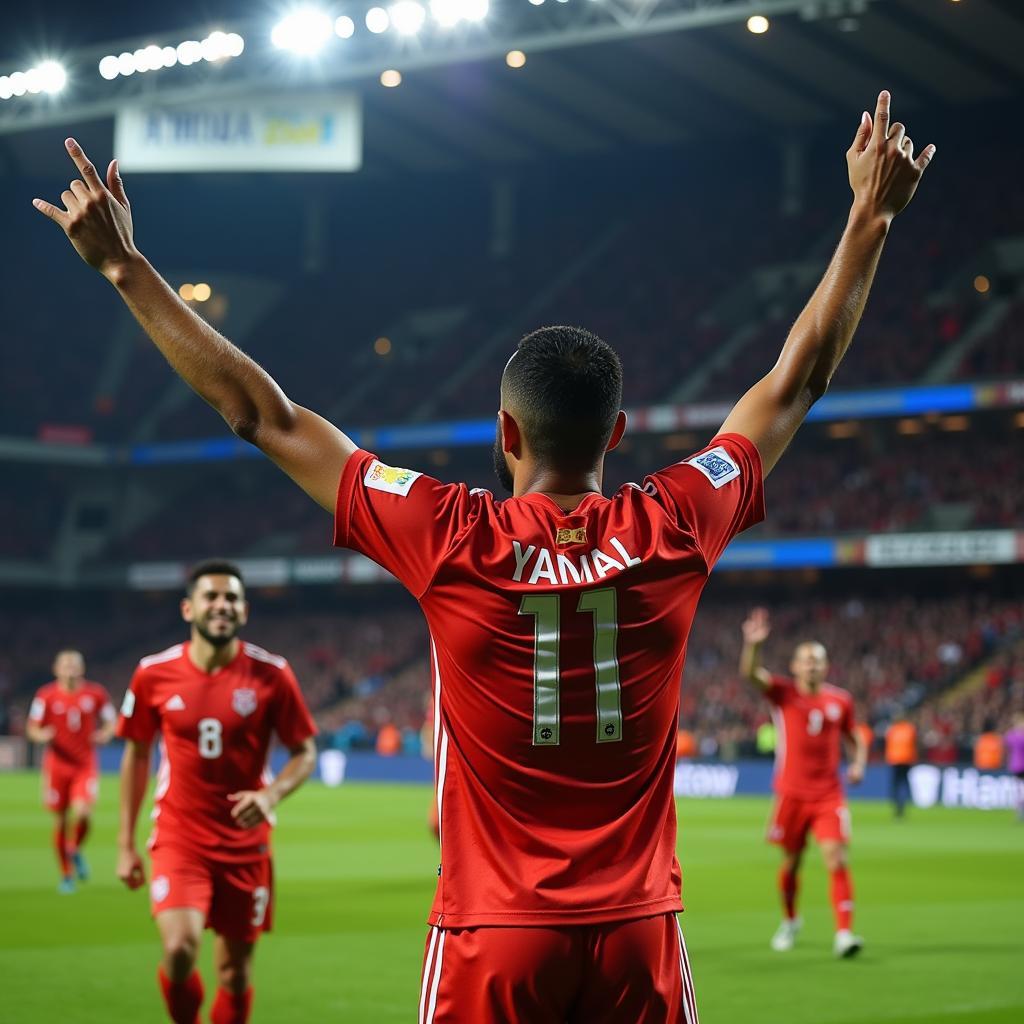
[559, 618]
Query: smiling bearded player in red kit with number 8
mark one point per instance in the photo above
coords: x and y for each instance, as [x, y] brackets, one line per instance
[215, 702]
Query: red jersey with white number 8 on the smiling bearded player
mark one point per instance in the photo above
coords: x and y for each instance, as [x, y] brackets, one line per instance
[217, 734]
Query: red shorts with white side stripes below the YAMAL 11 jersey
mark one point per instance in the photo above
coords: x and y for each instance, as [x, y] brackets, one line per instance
[628, 972]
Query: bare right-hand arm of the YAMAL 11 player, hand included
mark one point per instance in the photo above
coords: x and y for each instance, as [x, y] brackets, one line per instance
[884, 177]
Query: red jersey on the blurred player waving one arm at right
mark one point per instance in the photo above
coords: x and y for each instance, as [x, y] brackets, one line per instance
[810, 730]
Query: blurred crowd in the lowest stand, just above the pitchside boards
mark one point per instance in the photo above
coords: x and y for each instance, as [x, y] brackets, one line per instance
[364, 669]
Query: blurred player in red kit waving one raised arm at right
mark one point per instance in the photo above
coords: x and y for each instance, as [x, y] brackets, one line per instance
[814, 720]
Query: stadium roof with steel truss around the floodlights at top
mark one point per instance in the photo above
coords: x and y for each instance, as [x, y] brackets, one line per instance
[639, 72]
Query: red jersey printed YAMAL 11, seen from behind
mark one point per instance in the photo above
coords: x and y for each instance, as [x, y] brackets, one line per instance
[558, 646]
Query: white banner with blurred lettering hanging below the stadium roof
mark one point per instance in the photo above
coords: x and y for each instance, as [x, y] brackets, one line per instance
[272, 134]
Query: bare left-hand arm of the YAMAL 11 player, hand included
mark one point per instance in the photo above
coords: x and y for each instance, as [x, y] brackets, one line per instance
[97, 219]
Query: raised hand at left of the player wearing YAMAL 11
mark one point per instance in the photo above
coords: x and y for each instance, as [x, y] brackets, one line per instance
[96, 217]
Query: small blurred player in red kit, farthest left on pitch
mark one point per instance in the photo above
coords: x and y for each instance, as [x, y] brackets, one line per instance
[73, 717]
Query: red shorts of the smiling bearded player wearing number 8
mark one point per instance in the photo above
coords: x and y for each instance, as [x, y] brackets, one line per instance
[237, 900]
